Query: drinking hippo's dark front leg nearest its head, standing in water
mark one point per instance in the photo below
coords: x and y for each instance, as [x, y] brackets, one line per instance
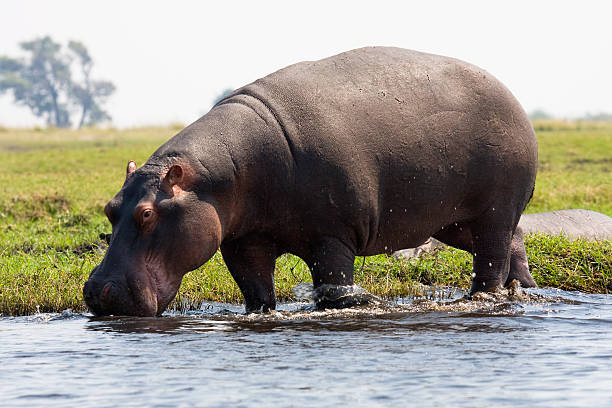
[251, 262]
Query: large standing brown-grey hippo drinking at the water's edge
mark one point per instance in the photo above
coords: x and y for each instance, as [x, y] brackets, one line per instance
[362, 153]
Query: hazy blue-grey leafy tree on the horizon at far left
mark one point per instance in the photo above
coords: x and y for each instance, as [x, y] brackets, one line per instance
[43, 82]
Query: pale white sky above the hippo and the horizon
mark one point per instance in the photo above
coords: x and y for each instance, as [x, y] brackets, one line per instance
[169, 60]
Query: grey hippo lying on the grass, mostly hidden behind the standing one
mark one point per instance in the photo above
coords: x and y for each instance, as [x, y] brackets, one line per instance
[572, 224]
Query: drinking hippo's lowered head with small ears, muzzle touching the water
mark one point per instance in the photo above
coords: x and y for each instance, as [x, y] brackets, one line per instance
[161, 229]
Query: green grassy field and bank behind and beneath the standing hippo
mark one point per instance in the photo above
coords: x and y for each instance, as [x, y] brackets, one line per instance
[56, 182]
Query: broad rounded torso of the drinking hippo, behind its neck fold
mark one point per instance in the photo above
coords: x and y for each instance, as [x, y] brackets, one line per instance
[379, 137]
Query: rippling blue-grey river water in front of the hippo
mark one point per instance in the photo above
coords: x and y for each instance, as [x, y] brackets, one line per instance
[554, 351]
